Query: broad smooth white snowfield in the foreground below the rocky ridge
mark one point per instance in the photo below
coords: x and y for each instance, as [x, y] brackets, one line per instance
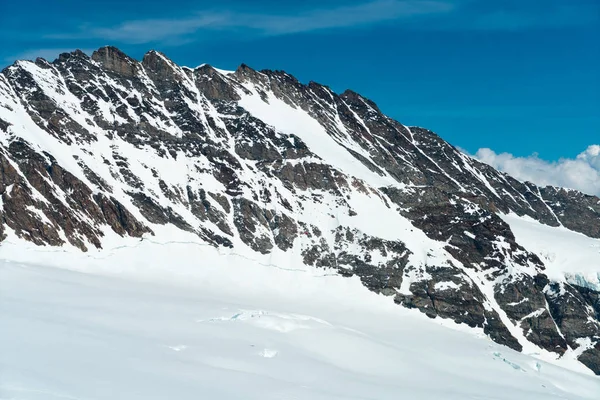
[181, 321]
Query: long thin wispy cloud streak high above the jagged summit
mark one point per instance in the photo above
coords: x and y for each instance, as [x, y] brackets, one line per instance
[149, 30]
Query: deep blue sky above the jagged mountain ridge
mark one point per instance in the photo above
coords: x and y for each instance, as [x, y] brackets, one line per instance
[515, 76]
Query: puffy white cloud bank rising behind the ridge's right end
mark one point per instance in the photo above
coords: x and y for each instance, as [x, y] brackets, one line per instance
[581, 173]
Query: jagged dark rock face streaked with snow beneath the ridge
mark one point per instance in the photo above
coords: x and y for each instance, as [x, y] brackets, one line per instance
[263, 164]
